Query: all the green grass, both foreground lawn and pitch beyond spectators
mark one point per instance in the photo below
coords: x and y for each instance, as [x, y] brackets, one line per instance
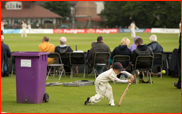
[159, 97]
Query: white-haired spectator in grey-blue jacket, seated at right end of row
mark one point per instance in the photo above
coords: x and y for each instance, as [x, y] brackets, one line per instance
[156, 48]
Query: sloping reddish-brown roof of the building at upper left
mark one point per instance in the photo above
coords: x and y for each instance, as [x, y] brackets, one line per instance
[35, 11]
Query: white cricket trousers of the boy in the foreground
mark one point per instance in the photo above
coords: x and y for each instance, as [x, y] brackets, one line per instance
[102, 89]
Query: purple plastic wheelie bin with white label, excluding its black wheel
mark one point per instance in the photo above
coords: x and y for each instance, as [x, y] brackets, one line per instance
[31, 68]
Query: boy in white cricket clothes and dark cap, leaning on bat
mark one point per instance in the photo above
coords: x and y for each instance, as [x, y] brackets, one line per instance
[103, 88]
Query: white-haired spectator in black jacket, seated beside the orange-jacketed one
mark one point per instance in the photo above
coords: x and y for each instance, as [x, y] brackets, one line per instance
[61, 49]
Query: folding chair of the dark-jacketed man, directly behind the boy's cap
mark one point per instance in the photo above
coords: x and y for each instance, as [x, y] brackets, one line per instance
[98, 61]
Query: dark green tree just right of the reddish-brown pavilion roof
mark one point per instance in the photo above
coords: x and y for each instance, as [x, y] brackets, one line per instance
[59, 7]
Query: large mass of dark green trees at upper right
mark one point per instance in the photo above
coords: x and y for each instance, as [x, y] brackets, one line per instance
[146, 14]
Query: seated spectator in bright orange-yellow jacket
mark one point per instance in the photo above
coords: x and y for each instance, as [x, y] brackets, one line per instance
[45, 46]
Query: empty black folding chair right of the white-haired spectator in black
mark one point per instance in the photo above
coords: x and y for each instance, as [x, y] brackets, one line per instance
[77, 58]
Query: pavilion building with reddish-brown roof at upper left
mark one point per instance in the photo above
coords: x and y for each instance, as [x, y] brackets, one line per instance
[14, 12]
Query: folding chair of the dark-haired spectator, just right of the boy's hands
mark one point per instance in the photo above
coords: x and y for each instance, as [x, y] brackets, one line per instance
[144, 64]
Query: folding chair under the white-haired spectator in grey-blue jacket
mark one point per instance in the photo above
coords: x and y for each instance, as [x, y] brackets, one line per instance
[158, 57]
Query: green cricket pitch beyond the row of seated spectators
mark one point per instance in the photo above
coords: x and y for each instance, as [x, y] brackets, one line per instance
[83, 41]
